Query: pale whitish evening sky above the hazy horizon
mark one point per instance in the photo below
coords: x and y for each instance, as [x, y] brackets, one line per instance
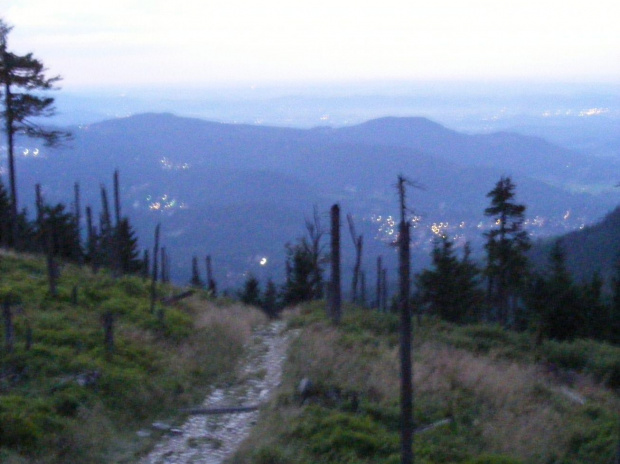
[97, 44]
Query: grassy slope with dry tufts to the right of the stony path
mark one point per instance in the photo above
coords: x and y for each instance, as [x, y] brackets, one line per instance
[507, 403]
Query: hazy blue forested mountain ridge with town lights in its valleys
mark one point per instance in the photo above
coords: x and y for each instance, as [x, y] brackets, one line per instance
[255, 184]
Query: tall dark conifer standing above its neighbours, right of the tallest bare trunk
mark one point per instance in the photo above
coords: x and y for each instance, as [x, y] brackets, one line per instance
[506, 246]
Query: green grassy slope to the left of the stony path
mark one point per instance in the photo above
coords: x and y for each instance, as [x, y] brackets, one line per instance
[68, 400]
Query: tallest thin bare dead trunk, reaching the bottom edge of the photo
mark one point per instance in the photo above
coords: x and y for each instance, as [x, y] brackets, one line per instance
[406, 368]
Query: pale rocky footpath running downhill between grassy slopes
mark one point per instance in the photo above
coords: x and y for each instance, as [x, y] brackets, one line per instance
[209, 438]
